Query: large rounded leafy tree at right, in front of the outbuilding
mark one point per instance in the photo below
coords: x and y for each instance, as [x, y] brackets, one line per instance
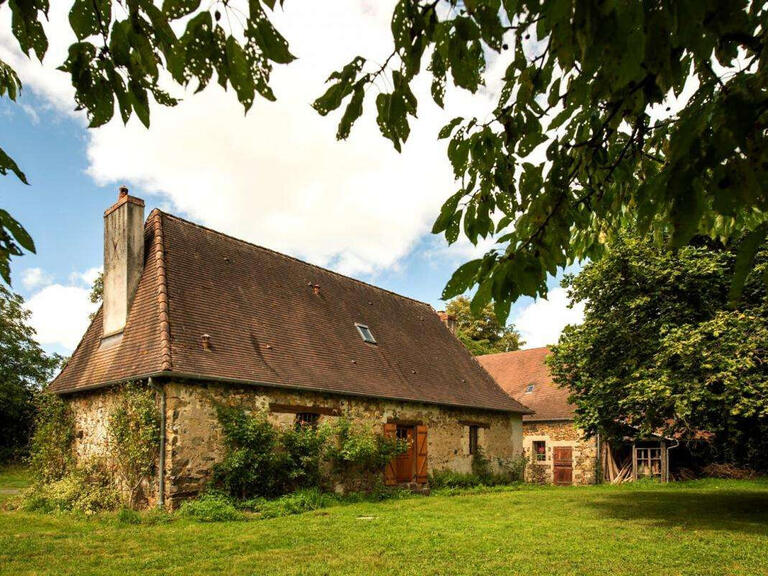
[661, 349]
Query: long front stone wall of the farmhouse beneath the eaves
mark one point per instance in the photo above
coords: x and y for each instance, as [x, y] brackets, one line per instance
[194, 437]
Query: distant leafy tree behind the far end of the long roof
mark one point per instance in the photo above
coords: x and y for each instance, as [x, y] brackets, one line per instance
[482, 333]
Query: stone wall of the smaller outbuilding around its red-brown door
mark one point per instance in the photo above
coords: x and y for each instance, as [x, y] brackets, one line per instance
[563, 433]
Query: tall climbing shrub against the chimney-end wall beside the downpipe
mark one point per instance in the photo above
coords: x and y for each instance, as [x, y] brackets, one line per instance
[134, 431]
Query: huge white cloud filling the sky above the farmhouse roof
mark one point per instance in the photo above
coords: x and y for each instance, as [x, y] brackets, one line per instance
[277, 176]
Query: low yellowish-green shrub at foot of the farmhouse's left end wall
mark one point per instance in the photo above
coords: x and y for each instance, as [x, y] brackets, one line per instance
[88, 489]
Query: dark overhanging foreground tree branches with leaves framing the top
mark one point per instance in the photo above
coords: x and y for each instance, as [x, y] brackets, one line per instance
[587, 128]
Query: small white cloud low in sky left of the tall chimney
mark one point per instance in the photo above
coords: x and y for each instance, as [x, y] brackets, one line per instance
[60, 314]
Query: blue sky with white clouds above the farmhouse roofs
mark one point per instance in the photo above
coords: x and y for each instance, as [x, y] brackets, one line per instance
[276, 176]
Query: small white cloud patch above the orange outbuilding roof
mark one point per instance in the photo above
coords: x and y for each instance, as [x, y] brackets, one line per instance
[541, 322]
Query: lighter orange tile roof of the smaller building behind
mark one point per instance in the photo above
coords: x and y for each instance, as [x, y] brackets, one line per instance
[516, 371]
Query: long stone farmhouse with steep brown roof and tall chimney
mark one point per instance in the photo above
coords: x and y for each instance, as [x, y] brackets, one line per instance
[203, 318]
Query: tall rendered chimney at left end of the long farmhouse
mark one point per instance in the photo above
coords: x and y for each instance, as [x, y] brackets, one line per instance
[123, 259]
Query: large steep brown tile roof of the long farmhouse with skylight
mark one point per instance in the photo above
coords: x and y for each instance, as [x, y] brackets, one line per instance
[274, 320]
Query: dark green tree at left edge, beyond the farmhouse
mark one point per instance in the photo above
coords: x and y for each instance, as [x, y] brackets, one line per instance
[24, 369]
